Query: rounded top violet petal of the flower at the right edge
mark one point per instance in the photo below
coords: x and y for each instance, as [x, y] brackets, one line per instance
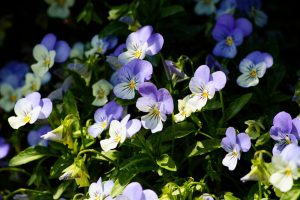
[283, 121]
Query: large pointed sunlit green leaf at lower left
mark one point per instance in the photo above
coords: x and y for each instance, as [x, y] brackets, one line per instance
[29, 154]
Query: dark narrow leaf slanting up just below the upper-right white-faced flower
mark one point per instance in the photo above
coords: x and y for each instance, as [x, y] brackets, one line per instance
[236, 106]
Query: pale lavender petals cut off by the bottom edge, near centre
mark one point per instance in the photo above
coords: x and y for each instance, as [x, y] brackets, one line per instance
[134, 191]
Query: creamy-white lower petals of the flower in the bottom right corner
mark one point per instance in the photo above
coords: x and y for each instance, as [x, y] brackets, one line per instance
[284, 175]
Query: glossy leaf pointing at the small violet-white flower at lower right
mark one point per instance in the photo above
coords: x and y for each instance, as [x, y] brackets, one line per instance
[202, 147]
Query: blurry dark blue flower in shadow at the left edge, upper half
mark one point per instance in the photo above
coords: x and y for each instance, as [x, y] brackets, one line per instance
[13, 73]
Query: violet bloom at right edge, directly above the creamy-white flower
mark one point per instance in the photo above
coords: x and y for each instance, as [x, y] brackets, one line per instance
[285, 130]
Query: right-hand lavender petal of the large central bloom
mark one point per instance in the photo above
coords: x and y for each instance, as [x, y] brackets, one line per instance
[165, 99]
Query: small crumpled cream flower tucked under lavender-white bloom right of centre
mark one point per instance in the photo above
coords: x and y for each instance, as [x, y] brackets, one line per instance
[185, 109]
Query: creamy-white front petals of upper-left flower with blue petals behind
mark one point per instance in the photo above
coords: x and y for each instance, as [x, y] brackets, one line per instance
[44, 58]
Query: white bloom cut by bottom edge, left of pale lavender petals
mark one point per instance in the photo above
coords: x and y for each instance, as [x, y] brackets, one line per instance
[100, 190]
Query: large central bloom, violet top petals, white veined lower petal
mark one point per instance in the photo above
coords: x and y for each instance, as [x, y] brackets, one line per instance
[157, 103]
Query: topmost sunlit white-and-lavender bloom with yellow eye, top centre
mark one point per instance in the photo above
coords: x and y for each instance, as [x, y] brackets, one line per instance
[141, 43]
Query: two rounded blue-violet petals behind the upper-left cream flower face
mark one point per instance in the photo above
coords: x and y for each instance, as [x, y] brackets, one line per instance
[61, 47]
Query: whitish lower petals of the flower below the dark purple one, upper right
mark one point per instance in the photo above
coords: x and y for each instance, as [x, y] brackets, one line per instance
[250, 73]
